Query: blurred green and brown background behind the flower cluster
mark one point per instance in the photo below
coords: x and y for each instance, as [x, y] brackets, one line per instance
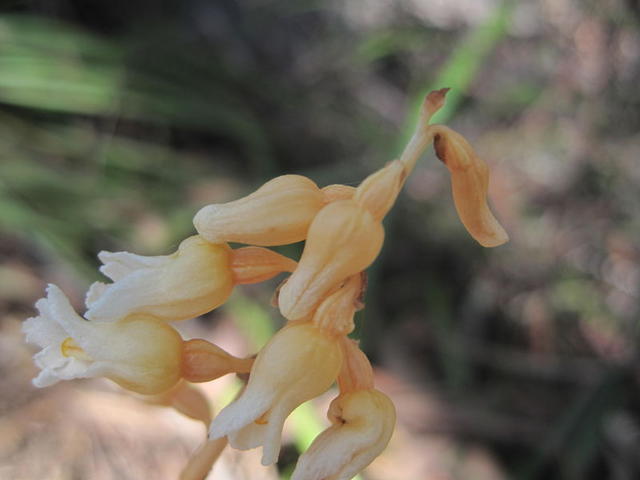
[120, 119]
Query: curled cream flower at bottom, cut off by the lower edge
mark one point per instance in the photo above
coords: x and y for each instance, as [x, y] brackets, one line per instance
[362, 424]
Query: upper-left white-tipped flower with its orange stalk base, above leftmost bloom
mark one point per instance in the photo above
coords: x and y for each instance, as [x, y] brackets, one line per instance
[197, 278]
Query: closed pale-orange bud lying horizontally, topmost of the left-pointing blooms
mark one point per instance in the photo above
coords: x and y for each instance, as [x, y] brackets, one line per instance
[277, 213]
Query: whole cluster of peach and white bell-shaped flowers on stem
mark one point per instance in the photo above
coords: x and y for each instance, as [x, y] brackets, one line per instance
[126, 335]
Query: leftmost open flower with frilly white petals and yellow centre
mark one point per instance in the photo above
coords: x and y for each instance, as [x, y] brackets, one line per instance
[139, 353]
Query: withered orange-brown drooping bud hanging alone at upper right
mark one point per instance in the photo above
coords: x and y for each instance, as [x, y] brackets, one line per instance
[469, 183]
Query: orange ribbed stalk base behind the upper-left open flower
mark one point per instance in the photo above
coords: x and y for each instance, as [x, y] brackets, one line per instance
[256, 264]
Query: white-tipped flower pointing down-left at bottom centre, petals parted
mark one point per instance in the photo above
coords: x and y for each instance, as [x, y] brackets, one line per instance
[299, 363]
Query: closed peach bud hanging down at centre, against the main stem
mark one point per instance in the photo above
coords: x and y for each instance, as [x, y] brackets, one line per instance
[343, 239]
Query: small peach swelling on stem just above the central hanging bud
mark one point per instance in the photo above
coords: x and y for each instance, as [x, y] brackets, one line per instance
[378, 192]
